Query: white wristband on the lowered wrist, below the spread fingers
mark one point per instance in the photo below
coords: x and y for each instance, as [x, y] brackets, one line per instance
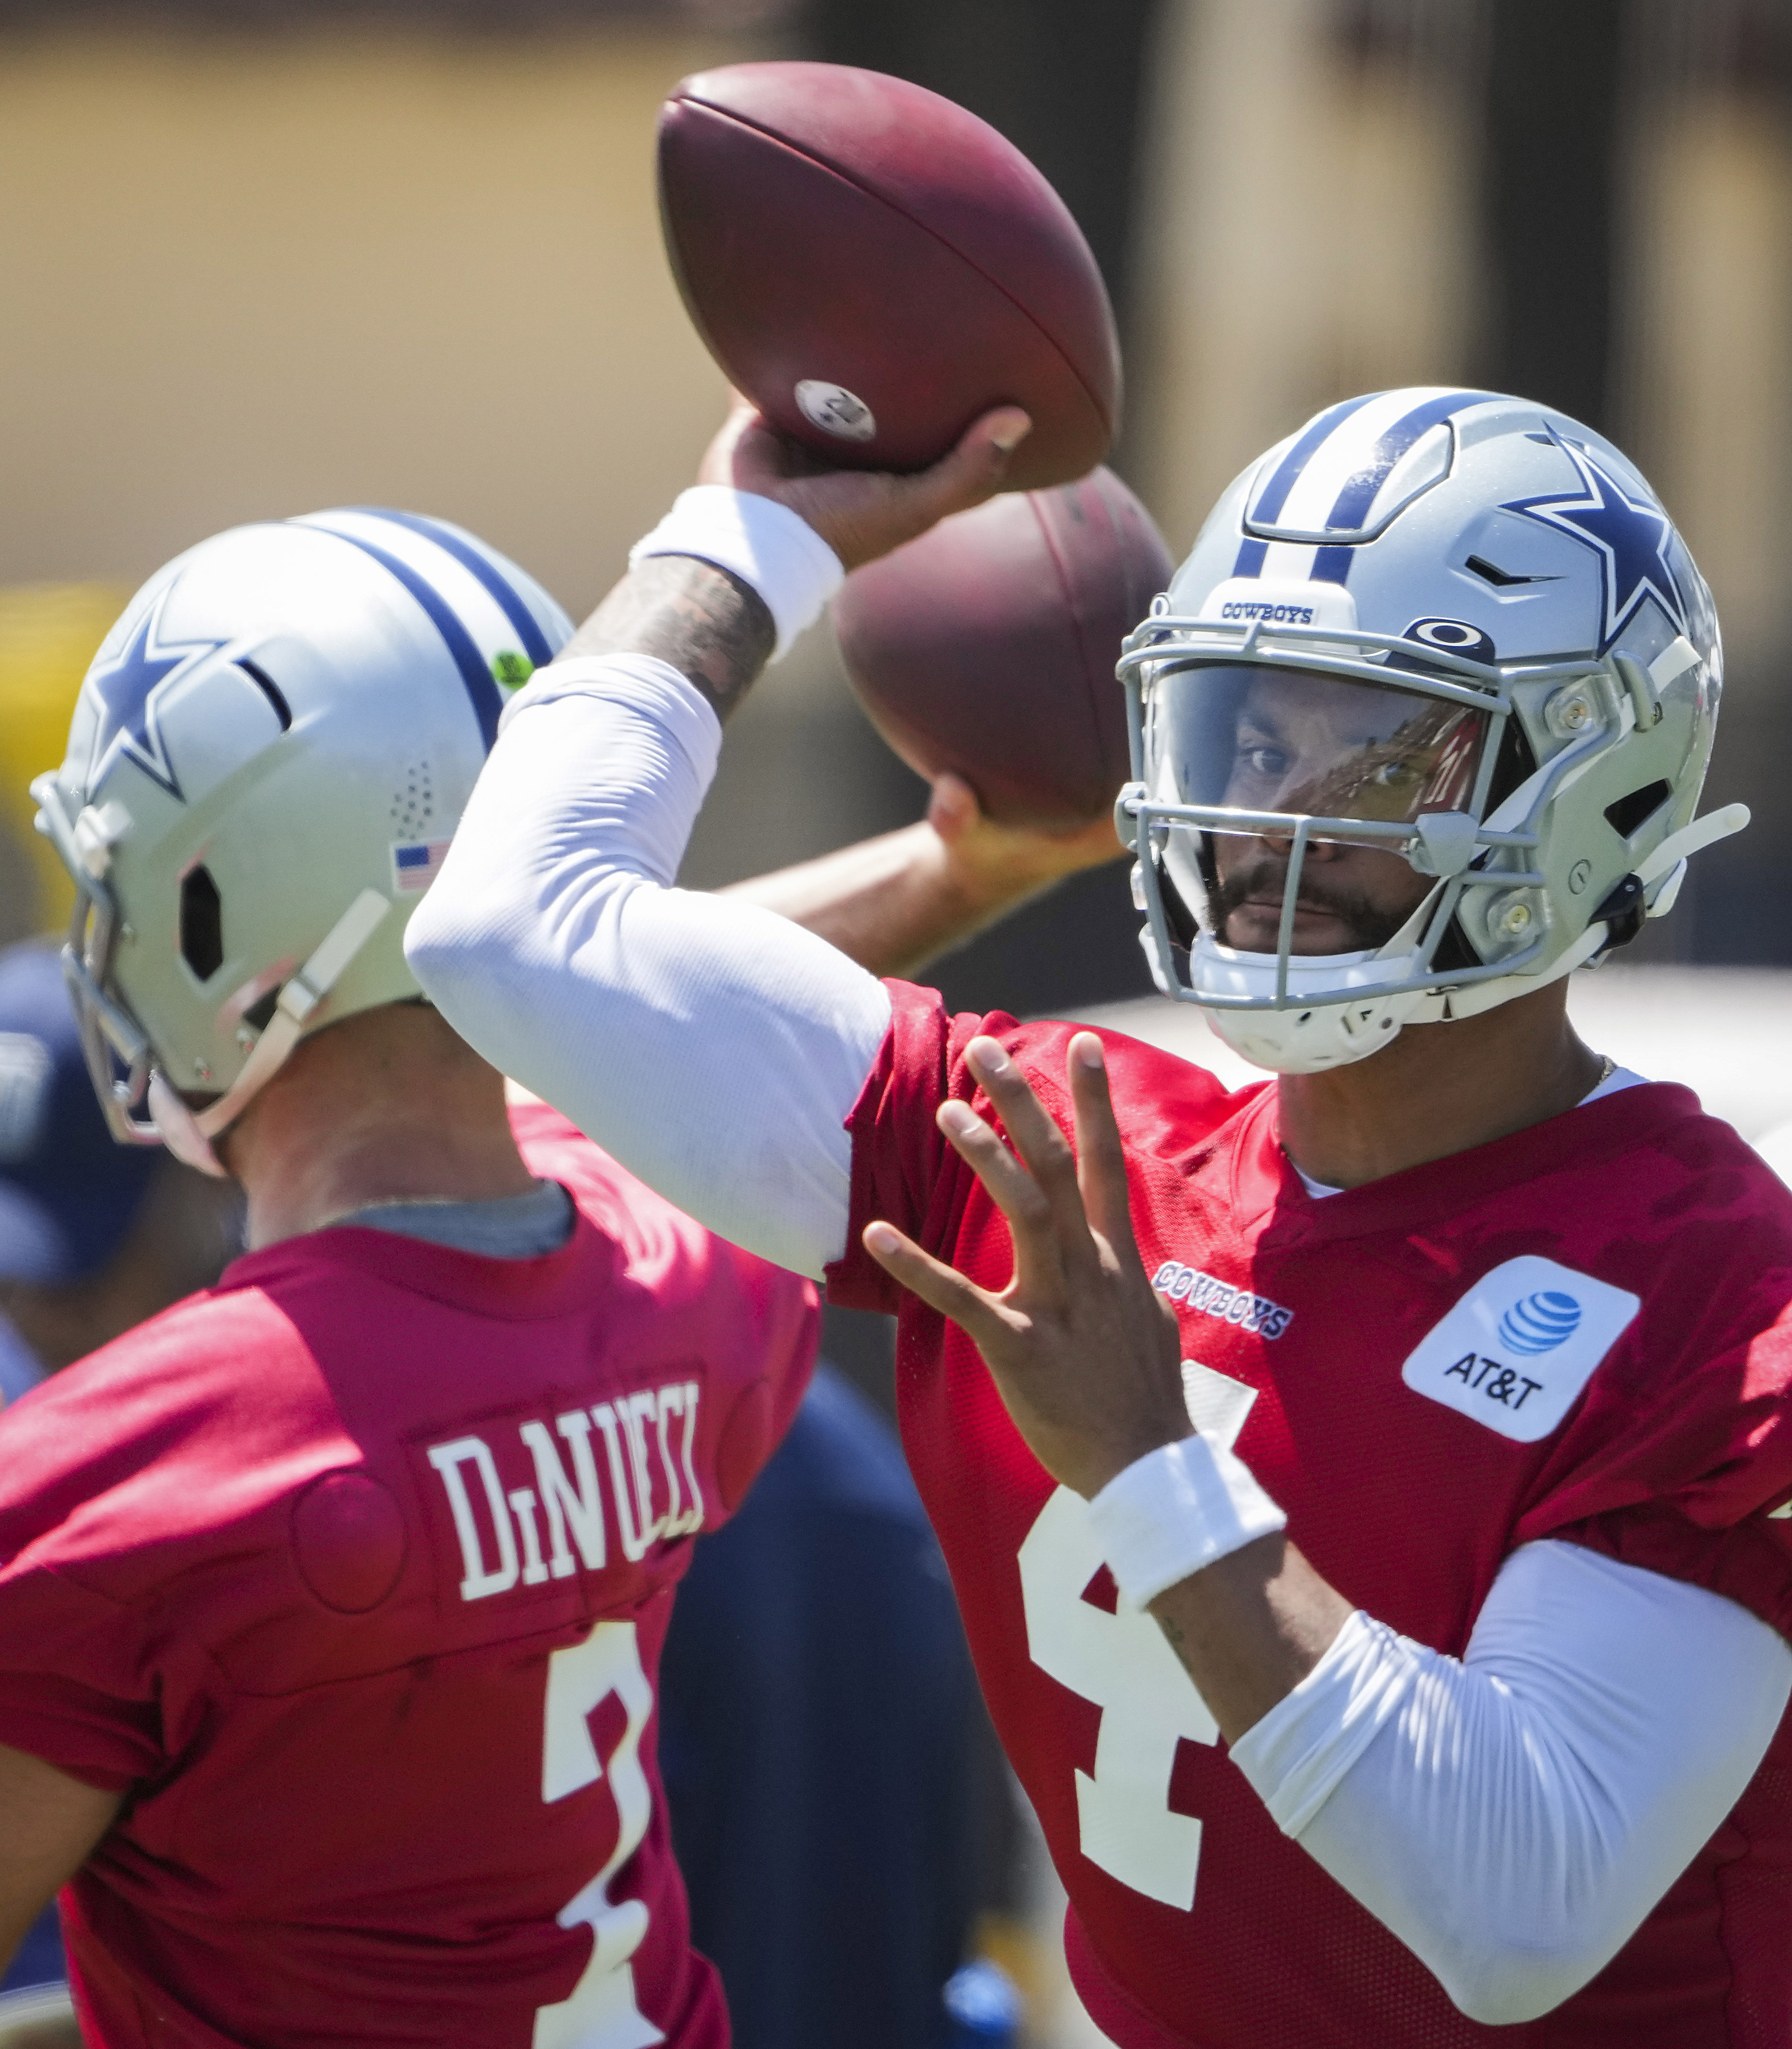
[1177, 1511]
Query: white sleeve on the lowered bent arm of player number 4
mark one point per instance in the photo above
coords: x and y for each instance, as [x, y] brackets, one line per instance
[1512, 1816]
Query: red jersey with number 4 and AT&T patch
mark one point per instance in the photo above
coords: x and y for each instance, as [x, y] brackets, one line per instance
[1578, 1333]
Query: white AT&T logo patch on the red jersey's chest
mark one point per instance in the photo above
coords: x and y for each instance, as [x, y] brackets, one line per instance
[1521, 1347]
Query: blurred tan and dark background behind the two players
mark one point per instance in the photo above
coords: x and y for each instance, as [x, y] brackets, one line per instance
[273, 255]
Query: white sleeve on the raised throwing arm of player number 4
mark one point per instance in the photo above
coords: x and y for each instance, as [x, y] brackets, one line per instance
[712, 1046]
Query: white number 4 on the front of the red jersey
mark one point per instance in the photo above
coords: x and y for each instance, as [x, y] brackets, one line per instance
[1123, 1665]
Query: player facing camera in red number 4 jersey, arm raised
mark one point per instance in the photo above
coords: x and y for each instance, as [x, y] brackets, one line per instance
[1369, 1503]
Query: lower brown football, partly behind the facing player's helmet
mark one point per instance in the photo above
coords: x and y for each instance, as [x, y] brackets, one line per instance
[990, 646]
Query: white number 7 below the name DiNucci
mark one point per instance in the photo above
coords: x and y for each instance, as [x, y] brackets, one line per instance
[601, 2011]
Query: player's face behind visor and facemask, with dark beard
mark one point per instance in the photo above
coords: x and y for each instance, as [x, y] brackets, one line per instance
[1295, 743]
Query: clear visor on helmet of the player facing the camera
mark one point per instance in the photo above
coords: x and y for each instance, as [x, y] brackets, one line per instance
[1248, 737]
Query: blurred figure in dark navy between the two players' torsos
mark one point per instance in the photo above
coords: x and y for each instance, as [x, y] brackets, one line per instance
[818, 1737]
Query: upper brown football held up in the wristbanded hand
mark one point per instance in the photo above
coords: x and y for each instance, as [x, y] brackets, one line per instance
[876, 267]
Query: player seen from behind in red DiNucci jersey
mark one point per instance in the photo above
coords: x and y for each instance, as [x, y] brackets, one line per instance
[331, 1599]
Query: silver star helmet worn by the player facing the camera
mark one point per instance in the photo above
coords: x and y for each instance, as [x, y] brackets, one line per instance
[1437, 624]
